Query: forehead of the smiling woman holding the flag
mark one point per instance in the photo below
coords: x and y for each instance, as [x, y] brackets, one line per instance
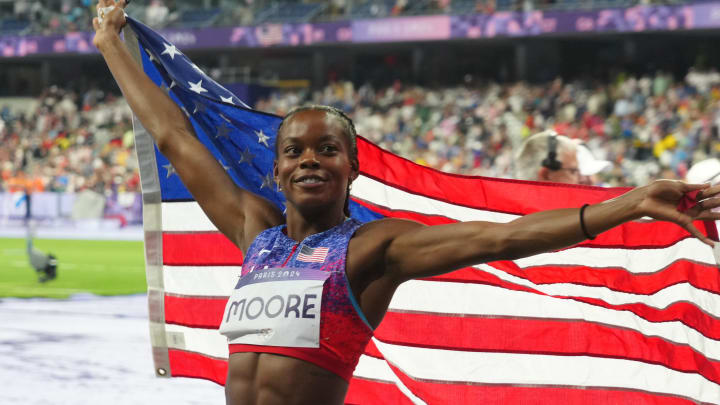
[312, 123]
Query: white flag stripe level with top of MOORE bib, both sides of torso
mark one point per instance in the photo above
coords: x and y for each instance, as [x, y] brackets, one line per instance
[436, 297]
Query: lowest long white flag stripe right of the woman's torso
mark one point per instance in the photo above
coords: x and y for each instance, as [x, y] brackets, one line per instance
[522, 369]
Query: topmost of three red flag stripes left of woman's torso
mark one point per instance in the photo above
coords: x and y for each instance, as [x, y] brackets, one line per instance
[200, 249]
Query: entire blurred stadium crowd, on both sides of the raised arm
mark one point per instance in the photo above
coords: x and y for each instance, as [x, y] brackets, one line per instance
[649, 127]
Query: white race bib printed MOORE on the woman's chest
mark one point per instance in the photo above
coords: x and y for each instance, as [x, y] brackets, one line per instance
[275, 307]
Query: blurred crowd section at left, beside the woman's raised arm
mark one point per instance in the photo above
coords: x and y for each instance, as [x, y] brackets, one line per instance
[68, 142]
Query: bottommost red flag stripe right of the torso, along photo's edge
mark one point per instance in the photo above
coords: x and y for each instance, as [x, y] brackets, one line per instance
[434, 392]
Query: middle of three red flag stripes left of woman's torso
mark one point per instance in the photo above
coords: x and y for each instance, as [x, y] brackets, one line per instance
[194, 312]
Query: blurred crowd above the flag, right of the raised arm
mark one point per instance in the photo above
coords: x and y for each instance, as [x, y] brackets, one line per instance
[649, 126]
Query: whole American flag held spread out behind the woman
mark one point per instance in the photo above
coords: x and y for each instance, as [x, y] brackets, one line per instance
[630, 317]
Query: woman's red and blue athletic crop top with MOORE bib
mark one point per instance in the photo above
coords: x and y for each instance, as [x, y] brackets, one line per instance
[293, 299]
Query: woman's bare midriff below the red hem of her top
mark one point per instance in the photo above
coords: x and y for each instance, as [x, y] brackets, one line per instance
[270, 379]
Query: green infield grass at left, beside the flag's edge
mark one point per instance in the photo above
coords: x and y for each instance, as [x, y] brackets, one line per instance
[84, 266]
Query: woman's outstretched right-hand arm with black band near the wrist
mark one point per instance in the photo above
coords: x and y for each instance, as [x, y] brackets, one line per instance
[417, 251]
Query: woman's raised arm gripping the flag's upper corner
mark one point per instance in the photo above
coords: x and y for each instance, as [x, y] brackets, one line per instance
[238, 214]
